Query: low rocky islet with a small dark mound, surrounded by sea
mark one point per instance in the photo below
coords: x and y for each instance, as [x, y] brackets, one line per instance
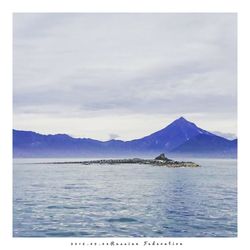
[160, 160]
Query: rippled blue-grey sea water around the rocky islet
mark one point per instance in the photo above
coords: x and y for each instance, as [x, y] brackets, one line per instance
[124, 200]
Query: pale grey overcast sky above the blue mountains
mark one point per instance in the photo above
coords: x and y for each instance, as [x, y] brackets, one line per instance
[124, 75]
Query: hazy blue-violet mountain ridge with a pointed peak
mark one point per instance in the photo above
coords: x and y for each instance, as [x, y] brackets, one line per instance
[179, 137]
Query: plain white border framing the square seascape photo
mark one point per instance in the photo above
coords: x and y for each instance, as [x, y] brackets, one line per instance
[9, 7]
